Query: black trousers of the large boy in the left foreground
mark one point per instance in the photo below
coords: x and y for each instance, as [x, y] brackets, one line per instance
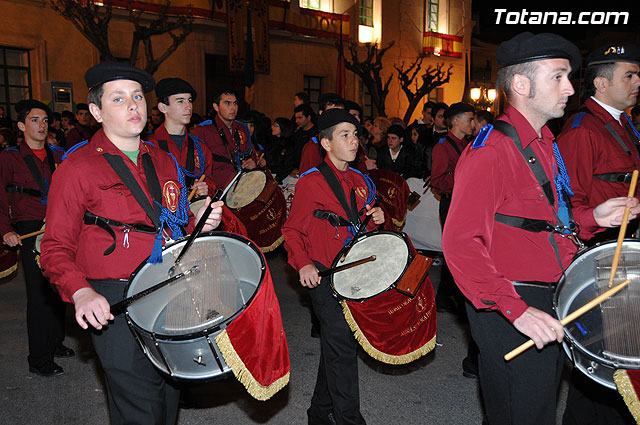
[137, 392]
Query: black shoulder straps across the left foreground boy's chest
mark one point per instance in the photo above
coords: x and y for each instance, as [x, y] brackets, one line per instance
[117, 163]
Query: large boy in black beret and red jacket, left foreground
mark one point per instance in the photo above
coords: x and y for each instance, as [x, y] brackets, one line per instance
[102, 224]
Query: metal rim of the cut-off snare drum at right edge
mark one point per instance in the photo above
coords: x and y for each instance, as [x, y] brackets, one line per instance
[569, 341]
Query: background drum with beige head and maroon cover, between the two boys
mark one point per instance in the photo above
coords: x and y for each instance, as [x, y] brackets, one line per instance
[259, 204]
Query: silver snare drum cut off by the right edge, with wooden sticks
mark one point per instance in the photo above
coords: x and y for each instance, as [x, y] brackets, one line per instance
[607, 337]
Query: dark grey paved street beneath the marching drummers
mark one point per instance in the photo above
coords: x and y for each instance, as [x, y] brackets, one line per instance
[431, 390]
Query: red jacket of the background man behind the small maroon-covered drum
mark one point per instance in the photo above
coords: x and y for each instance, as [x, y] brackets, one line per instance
[223, 170]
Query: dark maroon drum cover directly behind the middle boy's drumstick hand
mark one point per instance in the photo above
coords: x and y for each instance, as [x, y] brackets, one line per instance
[393, 192]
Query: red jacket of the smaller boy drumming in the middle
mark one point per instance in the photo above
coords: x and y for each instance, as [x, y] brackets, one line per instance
[308, 238]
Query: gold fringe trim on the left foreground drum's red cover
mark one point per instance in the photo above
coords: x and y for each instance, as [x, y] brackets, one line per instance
[257, 391]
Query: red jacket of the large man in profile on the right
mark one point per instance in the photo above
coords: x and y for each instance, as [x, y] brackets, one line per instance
[483, 255]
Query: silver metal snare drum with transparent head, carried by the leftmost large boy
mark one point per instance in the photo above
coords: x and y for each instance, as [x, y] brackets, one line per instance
[177, 325]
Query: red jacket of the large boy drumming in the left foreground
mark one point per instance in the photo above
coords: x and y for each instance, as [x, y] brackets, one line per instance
[73, 251]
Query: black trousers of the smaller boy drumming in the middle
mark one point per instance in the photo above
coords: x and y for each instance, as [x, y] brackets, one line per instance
[337, 386]
